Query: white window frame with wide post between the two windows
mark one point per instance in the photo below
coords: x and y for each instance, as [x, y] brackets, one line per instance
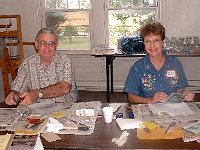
[98, 23]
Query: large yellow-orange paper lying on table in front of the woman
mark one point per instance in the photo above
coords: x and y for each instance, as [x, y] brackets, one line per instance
[159, 133]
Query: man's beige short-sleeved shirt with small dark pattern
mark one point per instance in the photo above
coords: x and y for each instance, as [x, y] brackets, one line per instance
[32, 74]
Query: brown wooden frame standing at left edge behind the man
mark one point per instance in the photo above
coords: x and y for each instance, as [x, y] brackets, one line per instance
[10, 28]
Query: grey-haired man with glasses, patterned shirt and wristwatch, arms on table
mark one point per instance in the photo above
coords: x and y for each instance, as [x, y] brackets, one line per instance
[46, 74]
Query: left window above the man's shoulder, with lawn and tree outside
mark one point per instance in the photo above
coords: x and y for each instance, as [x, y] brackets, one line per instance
[70, 19]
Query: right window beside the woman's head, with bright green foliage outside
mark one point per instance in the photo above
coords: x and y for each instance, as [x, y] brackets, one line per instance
[126, 17]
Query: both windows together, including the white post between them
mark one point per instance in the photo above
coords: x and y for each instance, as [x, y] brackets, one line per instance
[85, 24]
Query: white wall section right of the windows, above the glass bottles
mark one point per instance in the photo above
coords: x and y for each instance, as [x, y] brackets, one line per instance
[183, 18]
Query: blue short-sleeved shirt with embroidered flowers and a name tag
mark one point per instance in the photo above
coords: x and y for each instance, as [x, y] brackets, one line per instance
[144, 80]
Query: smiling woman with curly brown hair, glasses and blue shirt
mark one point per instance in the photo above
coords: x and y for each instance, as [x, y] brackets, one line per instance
[154, 77]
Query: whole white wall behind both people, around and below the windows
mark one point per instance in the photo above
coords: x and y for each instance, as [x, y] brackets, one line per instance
[180, 18]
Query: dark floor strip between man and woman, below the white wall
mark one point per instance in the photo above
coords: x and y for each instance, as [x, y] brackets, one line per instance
[117, 97]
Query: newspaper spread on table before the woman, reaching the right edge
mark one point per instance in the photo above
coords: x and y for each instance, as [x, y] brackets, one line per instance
[189, 122]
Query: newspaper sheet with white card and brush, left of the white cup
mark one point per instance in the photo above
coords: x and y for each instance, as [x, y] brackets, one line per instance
[72, 118]
